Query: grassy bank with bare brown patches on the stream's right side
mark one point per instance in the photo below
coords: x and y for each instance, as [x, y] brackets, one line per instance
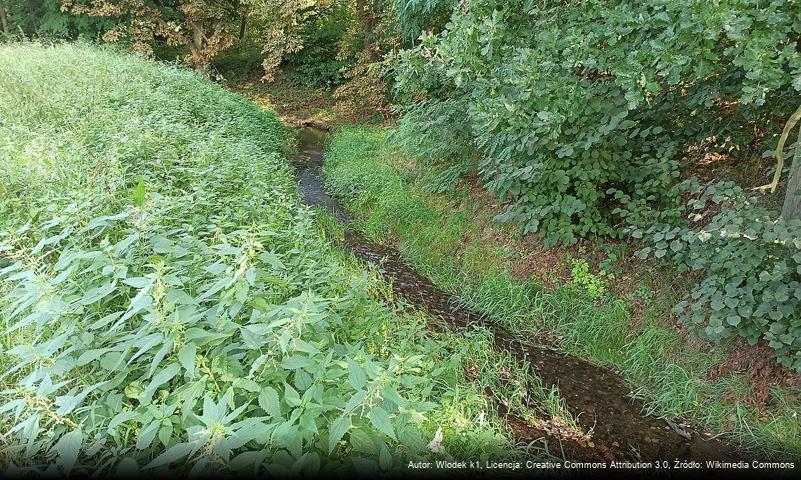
[589, 301]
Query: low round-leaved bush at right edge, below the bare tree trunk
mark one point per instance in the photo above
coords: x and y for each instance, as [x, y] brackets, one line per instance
[750, 261]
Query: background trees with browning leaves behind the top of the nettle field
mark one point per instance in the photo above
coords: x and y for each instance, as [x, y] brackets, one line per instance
[202, 32]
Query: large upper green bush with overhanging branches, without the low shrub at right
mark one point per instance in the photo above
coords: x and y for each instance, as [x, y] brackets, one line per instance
[579, 112]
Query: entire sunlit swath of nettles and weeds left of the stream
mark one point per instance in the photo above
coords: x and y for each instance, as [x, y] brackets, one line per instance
[166, 302]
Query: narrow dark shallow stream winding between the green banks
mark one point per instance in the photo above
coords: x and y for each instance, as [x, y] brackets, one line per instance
[595, 396]
